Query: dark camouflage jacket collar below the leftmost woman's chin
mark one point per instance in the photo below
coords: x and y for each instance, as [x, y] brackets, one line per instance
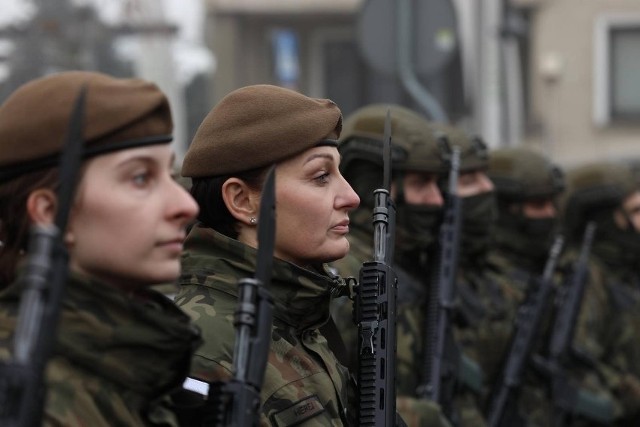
[141, 341]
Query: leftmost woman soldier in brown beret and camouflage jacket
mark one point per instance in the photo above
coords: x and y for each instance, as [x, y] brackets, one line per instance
[120, 346]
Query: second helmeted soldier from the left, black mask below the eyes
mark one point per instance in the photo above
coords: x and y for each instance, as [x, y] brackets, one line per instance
[482, 321]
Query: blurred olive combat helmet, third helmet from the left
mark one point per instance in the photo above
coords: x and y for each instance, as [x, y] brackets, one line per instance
[521, 174]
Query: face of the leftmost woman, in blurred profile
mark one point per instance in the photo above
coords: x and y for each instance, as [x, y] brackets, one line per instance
[128, 222]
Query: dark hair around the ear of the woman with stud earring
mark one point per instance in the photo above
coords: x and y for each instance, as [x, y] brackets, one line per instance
[213, 211]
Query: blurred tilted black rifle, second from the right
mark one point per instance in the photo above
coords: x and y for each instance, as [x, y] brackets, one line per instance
[528, 322]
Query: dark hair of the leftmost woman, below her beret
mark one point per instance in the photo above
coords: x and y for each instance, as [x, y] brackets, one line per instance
[14, 218]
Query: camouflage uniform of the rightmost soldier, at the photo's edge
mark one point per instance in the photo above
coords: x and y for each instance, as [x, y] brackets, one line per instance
[607, 336]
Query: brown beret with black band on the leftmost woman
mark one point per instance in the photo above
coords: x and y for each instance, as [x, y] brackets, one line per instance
[119, 113]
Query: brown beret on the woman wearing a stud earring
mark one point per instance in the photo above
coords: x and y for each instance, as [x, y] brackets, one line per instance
[256, 126]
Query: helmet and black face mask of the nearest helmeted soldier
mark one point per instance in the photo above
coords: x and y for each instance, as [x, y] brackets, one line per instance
[416, 147]
